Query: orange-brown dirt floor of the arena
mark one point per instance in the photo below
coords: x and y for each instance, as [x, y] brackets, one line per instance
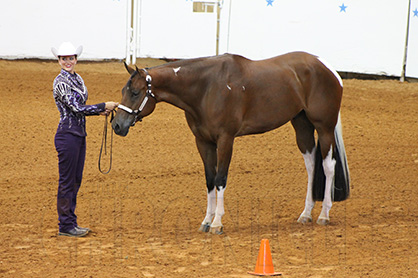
[146, 212]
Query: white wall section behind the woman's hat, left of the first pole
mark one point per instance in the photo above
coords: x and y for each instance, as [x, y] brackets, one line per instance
[28, 28]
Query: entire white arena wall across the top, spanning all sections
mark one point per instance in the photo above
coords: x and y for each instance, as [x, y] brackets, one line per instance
[369, 37]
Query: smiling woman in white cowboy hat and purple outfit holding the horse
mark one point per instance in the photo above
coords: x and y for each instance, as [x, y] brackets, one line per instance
[70, 96]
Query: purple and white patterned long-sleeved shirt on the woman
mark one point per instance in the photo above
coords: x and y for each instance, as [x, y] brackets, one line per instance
[70, 96]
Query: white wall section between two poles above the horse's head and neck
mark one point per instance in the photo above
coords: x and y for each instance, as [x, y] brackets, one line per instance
[170, 29]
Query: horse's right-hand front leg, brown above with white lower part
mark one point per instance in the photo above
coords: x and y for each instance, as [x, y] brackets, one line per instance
[224, 154]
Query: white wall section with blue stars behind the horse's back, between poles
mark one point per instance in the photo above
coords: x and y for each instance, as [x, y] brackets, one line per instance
[369, 37]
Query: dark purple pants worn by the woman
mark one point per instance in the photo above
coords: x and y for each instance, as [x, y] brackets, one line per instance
[71, 155]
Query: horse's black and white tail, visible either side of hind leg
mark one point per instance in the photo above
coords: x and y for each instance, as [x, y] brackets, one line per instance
[341, 184]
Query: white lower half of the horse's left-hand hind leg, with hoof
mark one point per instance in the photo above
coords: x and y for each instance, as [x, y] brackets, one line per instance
[309, 202]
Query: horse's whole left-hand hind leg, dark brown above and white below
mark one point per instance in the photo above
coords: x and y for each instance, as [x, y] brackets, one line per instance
[306, 142]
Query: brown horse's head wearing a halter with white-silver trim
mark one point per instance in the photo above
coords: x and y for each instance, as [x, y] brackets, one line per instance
[137, 102]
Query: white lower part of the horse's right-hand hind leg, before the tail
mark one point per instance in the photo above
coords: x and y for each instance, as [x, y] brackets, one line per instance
[329, 170]
